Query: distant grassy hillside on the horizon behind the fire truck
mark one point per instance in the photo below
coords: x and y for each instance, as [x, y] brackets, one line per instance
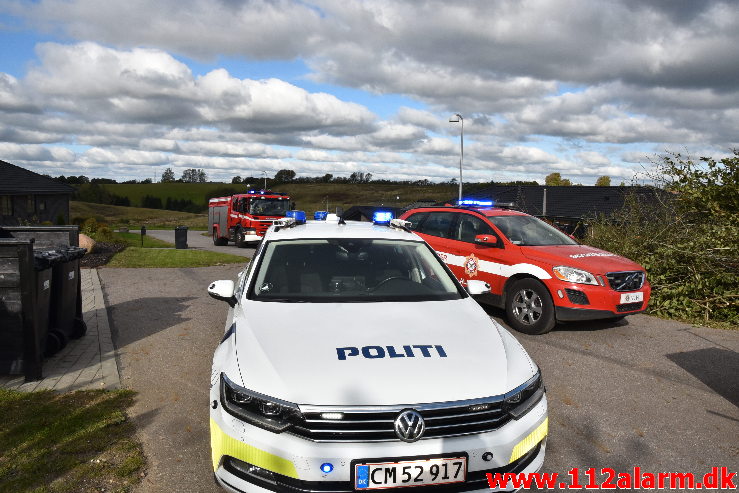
[307, 196]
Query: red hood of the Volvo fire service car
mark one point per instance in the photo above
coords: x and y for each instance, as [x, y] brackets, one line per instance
[581, 257]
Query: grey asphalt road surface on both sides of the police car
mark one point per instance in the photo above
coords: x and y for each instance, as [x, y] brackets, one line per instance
[641, 392]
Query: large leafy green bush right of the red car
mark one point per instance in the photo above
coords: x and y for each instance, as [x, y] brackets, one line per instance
[688, 241]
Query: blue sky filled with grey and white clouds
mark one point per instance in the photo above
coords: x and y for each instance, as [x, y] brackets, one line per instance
[124, 89]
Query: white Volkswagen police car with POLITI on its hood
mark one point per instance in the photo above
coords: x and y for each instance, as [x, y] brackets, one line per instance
[353, 360]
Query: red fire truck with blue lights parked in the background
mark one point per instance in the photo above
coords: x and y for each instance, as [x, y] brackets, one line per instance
[244, 218]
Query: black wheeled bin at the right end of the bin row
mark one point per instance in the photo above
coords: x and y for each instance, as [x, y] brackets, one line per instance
[66, 300]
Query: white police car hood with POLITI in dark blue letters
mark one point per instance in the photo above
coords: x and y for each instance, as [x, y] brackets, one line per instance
[377, 353]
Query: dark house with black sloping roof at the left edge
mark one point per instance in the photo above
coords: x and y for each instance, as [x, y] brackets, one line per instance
[29, 198]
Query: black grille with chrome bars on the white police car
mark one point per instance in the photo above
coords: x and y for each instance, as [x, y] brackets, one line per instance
[378, 426]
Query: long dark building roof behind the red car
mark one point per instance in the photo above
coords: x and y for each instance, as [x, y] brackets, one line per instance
[567, 201]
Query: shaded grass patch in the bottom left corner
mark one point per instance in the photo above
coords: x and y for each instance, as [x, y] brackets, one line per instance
[71, 442]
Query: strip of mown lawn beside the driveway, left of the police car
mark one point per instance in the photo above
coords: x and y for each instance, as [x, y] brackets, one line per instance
[134, 257]
